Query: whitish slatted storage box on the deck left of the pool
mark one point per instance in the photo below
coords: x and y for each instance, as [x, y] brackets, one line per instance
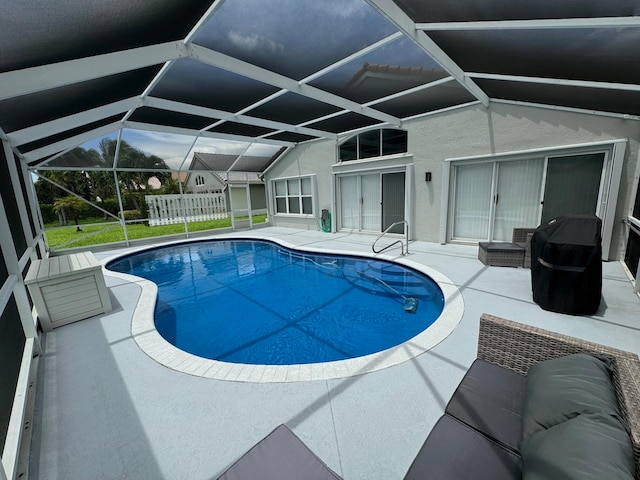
[67, 288]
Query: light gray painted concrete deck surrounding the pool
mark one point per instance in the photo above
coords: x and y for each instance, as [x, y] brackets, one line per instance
[104, 409]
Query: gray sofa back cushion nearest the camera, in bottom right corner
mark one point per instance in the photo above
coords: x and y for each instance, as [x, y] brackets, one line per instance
[587, 447]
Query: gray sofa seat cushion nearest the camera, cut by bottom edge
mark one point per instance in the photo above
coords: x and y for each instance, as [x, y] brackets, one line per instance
[454, 450]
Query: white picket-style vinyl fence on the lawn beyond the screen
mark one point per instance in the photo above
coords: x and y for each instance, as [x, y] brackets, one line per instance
[167, 209]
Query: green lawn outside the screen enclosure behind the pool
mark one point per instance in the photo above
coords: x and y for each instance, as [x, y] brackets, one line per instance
[60, 236]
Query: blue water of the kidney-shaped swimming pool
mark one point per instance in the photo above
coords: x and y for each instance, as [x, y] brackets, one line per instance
[253, 301]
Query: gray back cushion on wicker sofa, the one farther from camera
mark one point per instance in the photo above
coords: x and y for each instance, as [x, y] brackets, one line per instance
[560, 389]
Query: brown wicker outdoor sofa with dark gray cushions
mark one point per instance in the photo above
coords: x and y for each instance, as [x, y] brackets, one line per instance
[481, 433]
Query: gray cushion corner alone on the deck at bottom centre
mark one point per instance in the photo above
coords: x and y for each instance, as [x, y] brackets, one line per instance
[279, 456]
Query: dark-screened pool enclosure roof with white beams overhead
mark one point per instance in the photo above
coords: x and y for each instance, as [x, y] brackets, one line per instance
[239, 74]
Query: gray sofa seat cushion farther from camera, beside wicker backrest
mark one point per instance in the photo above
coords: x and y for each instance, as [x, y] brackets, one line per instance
[490, 399]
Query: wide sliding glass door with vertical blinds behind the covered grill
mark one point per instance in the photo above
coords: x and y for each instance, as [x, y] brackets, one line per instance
[491, 198]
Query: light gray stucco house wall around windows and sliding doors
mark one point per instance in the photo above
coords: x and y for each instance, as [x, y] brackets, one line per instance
[473, 131]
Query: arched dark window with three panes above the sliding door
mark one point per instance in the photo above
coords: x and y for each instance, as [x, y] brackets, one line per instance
[374, 143]
